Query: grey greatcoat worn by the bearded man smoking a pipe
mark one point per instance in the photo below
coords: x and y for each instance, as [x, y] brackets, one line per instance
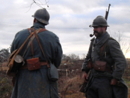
[115, 59]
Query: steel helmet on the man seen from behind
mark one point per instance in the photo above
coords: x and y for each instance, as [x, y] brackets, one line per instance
[42, 15]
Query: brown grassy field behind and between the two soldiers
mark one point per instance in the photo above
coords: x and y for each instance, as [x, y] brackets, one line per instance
[68, 84]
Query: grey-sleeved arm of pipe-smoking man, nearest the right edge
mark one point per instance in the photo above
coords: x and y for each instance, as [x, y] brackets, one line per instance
[119, 59]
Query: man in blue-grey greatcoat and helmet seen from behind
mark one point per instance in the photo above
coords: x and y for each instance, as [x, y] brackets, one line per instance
[35, 83]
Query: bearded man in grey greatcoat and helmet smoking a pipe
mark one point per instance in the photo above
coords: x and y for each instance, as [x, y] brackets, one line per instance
[105, 65]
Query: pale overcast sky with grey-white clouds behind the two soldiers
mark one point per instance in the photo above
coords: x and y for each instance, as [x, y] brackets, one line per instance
[69, 19]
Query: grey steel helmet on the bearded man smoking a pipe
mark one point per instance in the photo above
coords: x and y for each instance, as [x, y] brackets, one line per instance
[99, 21]
